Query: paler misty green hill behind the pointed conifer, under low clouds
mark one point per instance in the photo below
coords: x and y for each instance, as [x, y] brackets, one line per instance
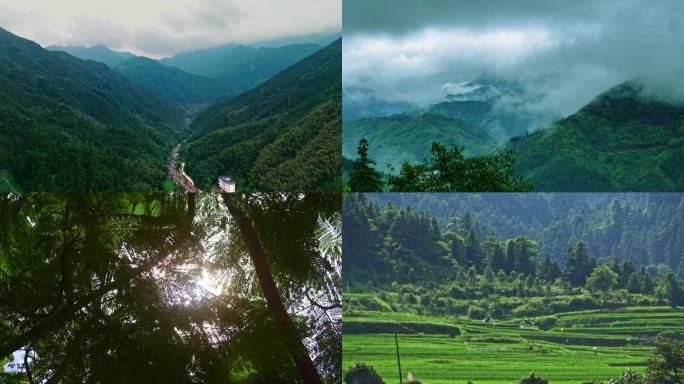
[406, 137]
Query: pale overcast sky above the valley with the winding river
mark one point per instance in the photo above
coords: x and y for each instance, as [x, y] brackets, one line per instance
[163, 27]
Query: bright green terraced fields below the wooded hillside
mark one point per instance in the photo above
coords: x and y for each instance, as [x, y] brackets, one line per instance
[581, 346]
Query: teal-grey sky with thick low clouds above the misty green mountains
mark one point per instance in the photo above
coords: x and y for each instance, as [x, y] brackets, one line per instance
[562, 52]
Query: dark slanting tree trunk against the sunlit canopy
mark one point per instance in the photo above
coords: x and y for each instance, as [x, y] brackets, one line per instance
[274, 301]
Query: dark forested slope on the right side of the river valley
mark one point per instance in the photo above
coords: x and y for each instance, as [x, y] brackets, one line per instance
[282, 135]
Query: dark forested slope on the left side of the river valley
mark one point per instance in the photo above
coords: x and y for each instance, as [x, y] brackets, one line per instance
[74, 125]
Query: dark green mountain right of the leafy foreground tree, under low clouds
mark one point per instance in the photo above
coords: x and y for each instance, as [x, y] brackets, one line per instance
[621, 141]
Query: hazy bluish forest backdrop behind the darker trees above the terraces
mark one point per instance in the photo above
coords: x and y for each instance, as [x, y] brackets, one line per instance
[645, 229]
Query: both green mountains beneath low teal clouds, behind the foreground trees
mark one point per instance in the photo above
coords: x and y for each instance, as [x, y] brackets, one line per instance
[624, 140]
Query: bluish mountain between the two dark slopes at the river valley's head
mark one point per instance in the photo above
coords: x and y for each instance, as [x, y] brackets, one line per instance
[186, 89]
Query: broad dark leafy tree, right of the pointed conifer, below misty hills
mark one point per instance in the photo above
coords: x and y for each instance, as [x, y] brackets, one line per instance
[446, 170]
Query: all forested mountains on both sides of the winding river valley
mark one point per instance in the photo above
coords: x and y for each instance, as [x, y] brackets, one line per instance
[78, 125]
